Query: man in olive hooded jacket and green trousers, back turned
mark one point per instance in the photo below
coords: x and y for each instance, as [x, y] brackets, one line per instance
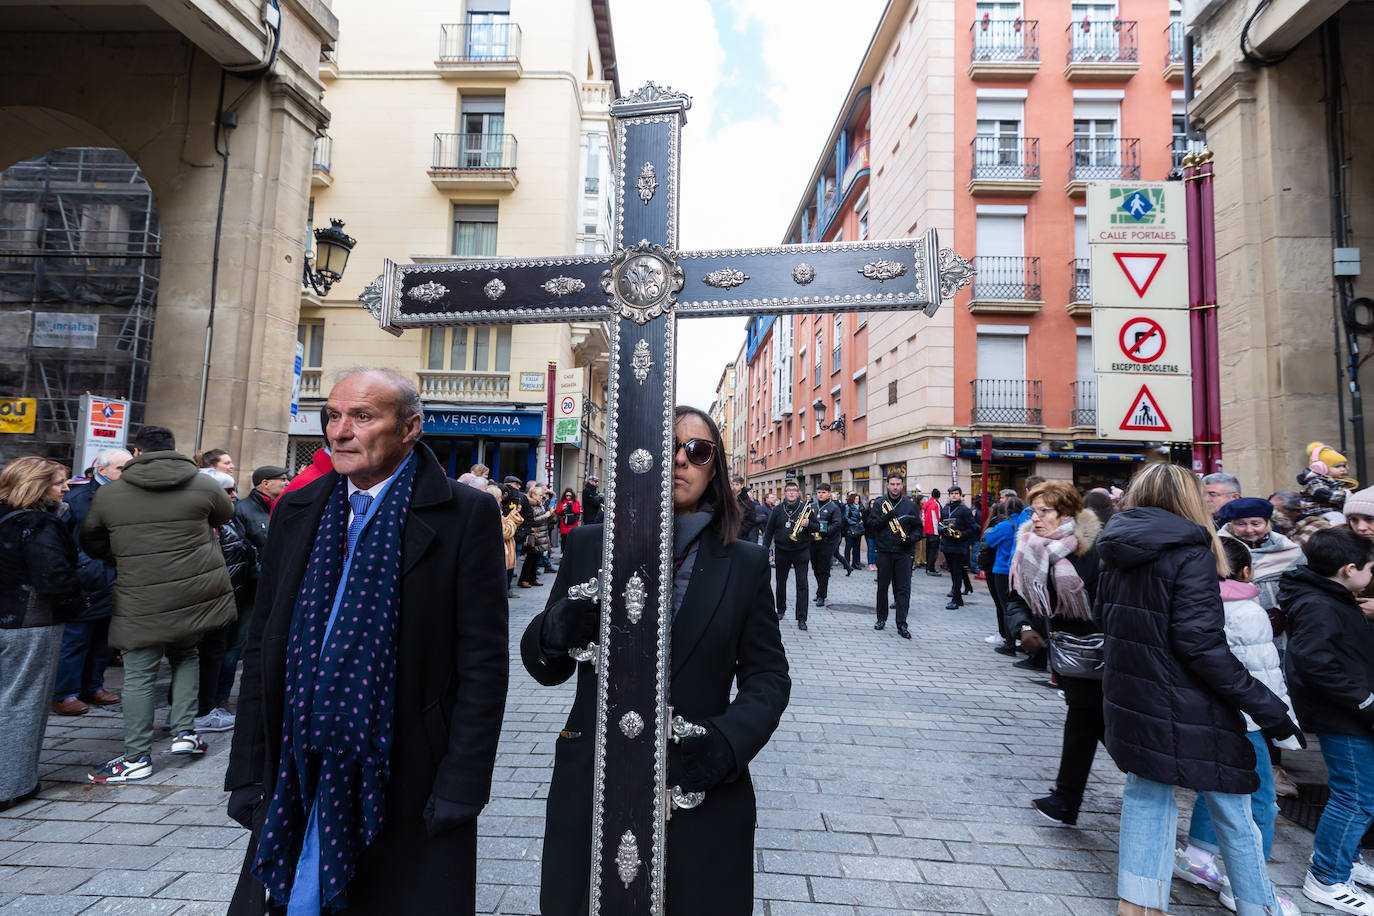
[171, 587]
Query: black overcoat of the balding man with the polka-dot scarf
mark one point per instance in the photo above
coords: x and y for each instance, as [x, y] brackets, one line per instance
[453, 668]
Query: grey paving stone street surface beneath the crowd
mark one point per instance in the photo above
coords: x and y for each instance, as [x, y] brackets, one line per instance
[898, 782]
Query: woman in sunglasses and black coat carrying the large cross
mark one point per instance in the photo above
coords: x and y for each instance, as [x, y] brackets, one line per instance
[725, 632]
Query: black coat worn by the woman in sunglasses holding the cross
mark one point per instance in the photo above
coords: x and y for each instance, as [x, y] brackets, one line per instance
[726, 632]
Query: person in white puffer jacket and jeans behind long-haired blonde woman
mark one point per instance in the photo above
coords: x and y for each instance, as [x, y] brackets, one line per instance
[1250, 635]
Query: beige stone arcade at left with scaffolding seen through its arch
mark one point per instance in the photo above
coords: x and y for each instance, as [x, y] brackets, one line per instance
[120, 111]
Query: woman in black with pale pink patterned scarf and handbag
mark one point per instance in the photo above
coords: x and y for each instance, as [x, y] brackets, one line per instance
[1055, 580]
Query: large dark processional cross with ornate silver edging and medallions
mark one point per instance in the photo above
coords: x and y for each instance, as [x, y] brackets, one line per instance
[642, 290]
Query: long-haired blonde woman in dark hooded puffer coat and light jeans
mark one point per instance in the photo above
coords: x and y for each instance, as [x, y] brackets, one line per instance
[1174, 691]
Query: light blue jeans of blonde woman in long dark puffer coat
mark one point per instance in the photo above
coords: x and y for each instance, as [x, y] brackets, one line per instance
[1149, 822]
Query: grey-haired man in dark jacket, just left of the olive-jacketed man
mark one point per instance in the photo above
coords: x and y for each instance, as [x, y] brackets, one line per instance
[86, 641]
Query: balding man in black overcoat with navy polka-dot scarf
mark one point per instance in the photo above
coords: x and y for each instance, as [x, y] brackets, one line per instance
[412, 565]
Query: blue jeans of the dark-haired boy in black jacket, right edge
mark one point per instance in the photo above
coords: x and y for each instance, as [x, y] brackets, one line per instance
[1350, 775]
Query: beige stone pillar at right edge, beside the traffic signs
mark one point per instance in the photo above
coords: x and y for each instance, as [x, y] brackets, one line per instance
[1295, 187]
